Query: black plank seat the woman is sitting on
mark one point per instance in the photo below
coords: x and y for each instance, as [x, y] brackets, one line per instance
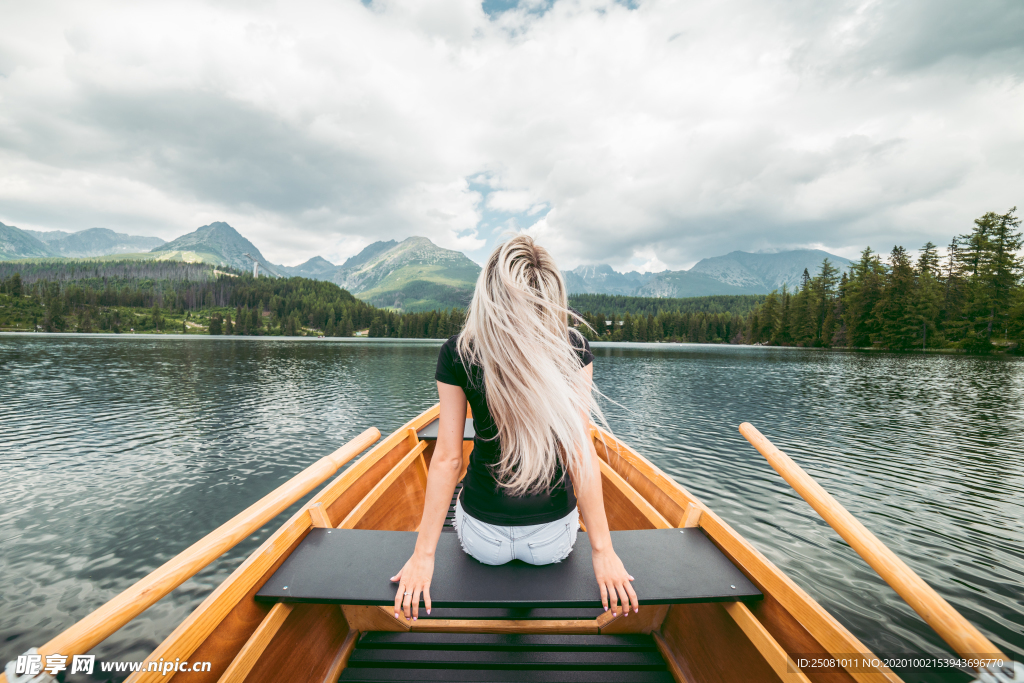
[353, 567]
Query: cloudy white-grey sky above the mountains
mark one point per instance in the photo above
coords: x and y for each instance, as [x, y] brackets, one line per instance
[646, 135]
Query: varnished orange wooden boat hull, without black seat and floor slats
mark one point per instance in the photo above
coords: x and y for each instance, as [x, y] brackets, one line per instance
[385, 490]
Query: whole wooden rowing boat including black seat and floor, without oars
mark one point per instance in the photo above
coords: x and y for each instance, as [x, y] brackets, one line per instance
[314, 603]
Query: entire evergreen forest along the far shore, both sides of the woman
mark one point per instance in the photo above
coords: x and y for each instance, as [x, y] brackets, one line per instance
[970, 300]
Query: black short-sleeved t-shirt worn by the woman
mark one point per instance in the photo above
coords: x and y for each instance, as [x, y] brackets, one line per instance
[482, 496]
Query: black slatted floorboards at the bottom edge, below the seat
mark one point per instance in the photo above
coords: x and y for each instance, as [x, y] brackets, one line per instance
[556, 659]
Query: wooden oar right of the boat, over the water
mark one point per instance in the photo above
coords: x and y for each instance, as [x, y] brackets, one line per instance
[950, 624]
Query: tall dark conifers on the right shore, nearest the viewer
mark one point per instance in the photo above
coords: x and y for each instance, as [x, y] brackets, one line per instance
[966, 301]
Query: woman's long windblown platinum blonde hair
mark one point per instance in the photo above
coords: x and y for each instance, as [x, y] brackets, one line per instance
[519, 332]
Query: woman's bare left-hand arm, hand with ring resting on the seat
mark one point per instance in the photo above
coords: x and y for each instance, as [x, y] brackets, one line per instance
[446, 466]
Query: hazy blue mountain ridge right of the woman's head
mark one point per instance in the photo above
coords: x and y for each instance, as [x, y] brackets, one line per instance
[738, 273]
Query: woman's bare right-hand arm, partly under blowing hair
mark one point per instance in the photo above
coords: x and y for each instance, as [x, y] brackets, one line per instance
[613, 578]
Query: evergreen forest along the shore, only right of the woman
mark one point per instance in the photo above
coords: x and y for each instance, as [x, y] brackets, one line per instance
[971, 300]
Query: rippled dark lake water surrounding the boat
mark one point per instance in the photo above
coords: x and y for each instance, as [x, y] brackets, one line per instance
[118, 453]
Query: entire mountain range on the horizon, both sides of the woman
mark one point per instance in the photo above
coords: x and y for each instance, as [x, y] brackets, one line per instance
[416, 275]
